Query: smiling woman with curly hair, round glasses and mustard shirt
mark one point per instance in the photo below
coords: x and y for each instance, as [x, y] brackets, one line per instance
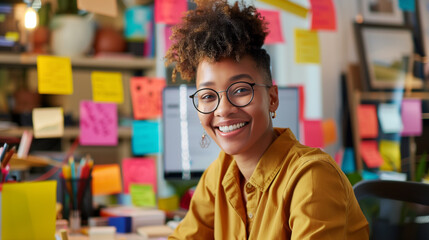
[264, 183]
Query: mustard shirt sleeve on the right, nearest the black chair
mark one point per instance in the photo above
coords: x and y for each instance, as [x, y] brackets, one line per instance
[320, 203]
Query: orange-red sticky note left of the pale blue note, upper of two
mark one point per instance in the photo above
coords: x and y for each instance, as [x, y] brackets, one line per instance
[367, 121]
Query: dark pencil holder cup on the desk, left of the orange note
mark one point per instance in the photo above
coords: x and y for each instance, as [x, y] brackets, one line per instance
[77, 196]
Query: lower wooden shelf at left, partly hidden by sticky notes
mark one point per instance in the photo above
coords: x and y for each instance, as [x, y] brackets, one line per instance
[69, 132]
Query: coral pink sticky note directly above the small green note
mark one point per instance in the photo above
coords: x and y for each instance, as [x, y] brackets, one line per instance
[139, 170]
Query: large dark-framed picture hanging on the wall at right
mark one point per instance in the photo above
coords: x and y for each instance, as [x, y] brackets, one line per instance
[386, 53]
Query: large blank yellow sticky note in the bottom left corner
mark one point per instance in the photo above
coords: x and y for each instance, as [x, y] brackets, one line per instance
[29, 210]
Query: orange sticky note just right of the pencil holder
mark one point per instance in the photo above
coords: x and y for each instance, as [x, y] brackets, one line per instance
[106, 179]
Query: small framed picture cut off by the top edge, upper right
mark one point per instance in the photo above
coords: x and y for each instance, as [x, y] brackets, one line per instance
[381, 11]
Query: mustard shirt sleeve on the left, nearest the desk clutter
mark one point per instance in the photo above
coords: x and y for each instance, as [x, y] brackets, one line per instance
[199, 220]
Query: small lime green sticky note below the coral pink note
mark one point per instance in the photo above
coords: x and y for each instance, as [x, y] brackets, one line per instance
[142, 195]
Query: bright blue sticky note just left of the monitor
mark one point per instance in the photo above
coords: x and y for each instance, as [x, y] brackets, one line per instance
[145, 138]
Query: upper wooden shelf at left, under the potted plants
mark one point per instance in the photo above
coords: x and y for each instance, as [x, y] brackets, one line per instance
[114, 63]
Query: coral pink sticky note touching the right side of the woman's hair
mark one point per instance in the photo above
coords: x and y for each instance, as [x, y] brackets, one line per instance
[275, 34]
